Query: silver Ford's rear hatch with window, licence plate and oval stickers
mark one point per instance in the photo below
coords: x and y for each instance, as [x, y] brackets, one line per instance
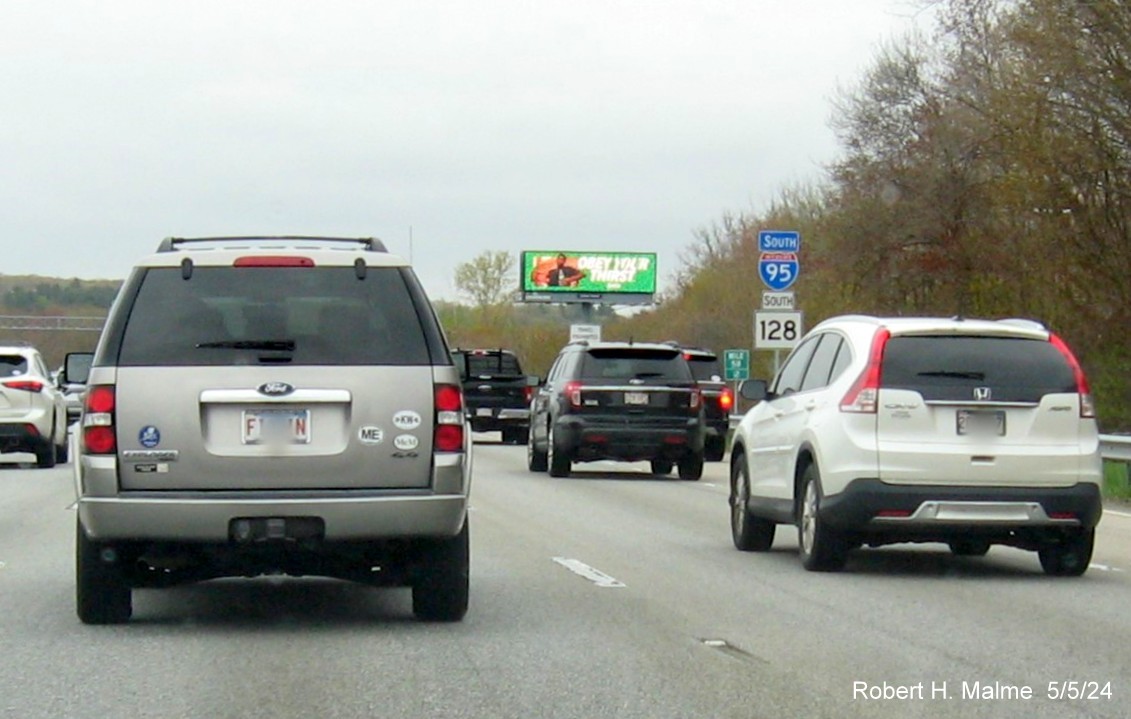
[226, 384]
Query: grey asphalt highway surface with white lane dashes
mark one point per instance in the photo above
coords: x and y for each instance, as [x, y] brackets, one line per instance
[609, 594]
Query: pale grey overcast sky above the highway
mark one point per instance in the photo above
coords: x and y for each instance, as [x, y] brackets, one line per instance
[445, 128]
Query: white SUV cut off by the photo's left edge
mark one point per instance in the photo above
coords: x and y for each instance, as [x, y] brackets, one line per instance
[33, 413]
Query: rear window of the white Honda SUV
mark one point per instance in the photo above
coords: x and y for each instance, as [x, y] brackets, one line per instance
[953, 368]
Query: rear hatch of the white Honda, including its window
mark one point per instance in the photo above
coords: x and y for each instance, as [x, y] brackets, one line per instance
[980, 411]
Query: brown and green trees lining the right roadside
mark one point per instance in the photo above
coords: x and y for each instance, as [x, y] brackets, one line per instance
[985, 171]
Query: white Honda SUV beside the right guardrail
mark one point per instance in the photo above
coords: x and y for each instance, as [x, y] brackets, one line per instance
[879, 431]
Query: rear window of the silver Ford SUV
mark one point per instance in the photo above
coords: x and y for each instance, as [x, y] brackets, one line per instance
[226, 316]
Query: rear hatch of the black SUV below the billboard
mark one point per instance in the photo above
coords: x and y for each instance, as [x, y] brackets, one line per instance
[644, 387]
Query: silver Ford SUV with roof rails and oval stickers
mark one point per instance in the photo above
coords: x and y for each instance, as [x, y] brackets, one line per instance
[272, 405]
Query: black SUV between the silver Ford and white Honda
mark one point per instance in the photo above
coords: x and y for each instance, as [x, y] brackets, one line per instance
[625, 402]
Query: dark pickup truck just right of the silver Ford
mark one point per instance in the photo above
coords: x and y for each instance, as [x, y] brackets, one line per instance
[497, 393]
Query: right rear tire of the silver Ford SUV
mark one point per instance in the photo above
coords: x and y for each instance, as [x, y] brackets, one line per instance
[442, 588]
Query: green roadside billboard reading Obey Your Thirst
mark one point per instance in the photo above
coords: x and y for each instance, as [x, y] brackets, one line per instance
[598, 278]
